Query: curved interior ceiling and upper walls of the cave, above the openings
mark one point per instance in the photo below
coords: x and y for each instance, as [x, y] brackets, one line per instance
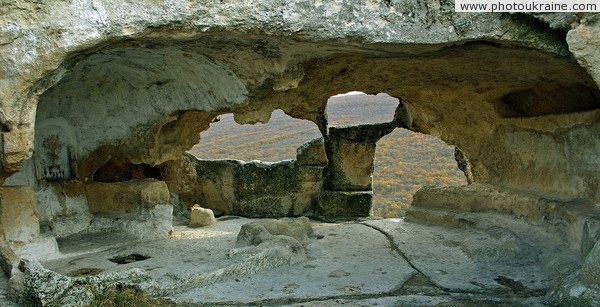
[480, 81]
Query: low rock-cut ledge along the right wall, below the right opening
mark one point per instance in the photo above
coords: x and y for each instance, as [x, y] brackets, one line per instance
[577, 222]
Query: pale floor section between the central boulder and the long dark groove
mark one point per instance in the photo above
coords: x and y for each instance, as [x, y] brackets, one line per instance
[350, 259]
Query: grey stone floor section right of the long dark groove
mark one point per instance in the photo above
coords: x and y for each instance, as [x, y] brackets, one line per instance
[489, 253]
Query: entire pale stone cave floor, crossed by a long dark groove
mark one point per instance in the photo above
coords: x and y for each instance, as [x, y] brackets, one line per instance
[482, 259]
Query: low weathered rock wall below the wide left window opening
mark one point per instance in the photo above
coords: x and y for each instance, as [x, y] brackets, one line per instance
[250, 189]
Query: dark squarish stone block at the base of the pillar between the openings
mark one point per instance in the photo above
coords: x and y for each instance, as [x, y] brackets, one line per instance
[344, 205]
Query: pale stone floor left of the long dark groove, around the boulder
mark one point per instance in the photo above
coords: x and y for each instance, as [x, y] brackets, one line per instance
[349, 259]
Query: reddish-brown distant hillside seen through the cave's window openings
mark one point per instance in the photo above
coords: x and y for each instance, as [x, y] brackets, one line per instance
[404, 161]
